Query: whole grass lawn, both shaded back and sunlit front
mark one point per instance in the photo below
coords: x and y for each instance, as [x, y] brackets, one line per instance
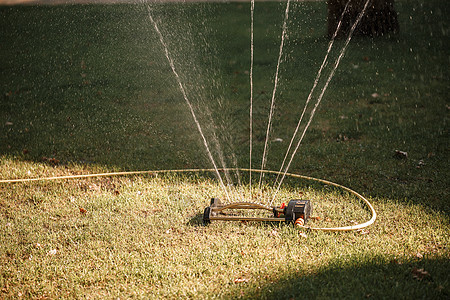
[87, 89]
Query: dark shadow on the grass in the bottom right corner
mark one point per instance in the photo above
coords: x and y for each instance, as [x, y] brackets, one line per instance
[374, 278]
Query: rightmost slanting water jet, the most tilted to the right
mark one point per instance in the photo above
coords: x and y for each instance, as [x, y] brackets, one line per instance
[338, 60]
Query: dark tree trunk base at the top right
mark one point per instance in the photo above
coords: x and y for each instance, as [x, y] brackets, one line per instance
[380, 17]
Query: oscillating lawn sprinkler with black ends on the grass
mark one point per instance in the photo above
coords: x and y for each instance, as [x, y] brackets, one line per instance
[296, 212]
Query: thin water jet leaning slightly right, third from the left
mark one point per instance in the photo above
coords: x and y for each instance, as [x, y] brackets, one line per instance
[269, 123]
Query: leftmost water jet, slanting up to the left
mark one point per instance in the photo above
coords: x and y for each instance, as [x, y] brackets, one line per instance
[180, 85]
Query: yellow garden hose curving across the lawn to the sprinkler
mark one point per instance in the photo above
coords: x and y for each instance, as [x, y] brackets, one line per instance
[250, 205]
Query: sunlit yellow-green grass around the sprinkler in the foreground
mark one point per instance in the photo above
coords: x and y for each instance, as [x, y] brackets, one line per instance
[142, 236]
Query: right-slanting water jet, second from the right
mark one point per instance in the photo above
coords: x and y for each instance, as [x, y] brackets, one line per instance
[316, 81]
